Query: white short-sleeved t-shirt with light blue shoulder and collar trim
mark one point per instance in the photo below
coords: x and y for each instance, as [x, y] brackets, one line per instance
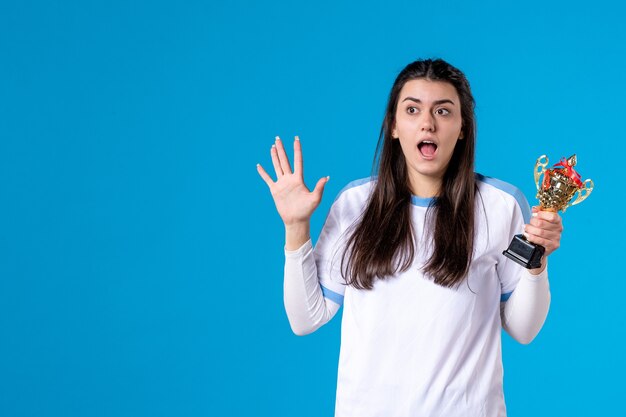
[408, 346]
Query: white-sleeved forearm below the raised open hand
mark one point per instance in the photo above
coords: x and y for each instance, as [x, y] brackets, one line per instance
[306, 307]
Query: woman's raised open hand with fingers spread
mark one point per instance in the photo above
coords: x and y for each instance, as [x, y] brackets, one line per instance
[293, 200]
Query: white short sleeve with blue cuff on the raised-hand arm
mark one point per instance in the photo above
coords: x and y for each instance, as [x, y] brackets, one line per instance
[329, 252]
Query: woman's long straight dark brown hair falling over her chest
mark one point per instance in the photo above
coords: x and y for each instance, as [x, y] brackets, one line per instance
[382, 241]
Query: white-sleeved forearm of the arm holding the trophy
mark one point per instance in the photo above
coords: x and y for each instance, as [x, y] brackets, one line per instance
[526, 310]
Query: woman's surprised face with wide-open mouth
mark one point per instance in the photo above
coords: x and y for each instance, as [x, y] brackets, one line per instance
[428, 125]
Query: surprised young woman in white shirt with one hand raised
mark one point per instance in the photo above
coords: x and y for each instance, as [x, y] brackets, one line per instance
[414, 255]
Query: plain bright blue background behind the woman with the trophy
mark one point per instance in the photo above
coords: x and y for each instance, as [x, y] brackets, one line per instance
[141, 255]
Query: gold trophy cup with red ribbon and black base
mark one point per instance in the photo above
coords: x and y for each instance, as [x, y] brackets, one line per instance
[555, 192]
